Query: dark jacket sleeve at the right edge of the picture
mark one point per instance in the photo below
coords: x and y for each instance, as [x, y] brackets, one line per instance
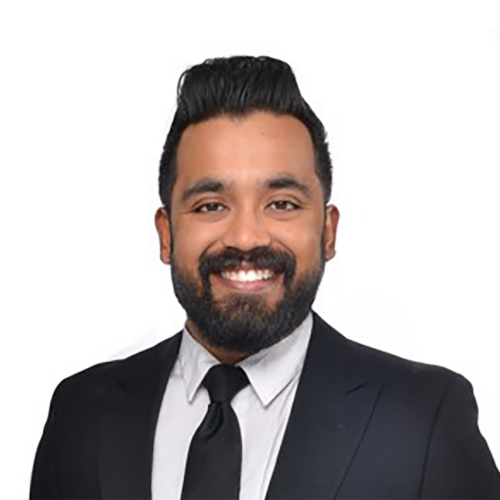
[459, 463]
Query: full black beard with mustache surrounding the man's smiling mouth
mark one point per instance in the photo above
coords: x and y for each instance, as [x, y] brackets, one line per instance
[243, 323]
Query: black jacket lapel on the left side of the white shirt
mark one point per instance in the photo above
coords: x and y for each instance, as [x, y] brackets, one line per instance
[130, 414]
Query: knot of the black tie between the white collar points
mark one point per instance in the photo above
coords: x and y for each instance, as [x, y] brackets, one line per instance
[223, 382]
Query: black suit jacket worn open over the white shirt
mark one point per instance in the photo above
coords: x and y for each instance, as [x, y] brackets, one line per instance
[364, 425]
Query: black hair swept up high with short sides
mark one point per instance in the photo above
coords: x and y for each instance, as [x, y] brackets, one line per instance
[235, 87]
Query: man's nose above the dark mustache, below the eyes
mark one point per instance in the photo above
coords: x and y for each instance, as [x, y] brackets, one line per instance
[246, 230]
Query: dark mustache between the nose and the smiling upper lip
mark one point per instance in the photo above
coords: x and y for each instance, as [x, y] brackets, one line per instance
[260, 257]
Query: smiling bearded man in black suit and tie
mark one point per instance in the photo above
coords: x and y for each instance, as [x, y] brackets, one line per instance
[257, 397]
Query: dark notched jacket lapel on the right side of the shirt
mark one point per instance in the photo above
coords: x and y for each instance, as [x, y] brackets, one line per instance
[331, 410]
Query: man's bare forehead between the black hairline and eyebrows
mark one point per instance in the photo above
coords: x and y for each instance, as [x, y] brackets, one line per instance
[246, 150]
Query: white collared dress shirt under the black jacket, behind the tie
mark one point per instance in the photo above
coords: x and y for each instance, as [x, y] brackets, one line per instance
[262, 408]
